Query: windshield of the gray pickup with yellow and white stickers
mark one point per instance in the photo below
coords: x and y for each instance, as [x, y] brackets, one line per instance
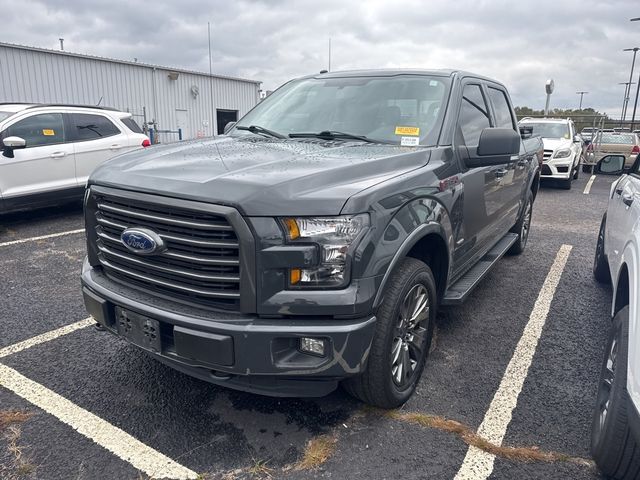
[391, 109]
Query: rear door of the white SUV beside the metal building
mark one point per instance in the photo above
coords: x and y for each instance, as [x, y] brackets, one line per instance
[96, 139]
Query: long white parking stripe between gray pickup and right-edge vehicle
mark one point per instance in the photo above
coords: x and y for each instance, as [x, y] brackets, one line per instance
[477, 464]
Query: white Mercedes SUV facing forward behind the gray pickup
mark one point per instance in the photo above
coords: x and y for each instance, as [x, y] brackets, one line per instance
[563, 148]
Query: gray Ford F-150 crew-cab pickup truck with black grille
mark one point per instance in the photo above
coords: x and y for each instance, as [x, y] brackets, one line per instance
[313, 243]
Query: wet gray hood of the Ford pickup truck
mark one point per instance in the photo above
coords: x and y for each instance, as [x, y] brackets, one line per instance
[259, 176]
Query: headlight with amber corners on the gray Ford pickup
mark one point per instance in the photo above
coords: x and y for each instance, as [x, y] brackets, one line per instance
[334, 236]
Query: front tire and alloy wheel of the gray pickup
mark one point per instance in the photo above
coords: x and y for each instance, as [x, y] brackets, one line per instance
[380, 384]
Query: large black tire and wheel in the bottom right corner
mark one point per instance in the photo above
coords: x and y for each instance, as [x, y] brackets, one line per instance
[613, 445]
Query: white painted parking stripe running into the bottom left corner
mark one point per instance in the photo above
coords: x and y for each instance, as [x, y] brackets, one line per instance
[144, 458]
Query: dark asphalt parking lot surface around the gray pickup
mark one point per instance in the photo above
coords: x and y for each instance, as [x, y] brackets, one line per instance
[220, 433]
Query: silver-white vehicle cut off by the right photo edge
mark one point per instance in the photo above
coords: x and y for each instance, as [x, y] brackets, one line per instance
[615, 437]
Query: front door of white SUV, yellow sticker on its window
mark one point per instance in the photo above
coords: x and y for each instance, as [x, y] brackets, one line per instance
[46, 164]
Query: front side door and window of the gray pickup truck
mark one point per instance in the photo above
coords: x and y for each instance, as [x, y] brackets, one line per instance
[485, 192]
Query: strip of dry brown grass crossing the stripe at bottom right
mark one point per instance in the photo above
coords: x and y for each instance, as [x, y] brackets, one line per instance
[471, 438]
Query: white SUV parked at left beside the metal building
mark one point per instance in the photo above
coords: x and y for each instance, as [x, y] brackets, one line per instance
[48, 151]
